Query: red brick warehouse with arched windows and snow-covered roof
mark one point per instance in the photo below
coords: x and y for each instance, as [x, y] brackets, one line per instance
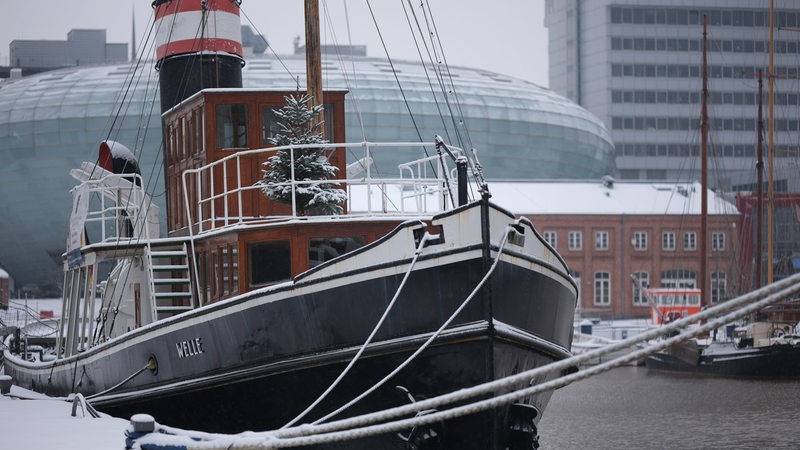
[607, 231]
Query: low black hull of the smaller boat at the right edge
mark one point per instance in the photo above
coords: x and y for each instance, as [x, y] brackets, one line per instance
[776, 361]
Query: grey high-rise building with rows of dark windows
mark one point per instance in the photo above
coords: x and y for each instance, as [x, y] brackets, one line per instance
[637, 65]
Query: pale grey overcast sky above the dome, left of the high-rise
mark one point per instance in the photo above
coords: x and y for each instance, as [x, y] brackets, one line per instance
[505, 36]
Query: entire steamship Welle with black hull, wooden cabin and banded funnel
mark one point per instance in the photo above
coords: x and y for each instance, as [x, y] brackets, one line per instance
[250, 315]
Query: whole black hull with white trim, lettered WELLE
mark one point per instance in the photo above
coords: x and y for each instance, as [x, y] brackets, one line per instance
[255, 362]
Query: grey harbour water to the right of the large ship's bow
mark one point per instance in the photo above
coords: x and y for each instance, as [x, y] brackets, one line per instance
[632, 408]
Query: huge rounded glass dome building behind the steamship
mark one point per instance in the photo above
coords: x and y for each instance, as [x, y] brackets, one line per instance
[51, 122]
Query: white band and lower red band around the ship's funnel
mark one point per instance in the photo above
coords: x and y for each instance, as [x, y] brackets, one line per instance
[179, 33]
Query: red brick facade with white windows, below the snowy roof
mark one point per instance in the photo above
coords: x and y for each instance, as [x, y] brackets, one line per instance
[612, 247]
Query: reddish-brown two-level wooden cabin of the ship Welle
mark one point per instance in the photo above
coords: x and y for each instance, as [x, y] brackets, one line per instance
[244, 240]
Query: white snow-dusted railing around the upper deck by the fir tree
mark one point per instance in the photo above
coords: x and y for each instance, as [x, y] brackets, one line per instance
[229, 191]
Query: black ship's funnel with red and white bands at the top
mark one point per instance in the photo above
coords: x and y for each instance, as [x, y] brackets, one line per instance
[198, 45]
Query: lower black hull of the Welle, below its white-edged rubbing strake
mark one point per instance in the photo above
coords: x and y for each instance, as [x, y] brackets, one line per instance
[273, 400]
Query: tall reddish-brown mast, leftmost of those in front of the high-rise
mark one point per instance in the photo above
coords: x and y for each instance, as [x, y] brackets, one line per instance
[704, 168]
